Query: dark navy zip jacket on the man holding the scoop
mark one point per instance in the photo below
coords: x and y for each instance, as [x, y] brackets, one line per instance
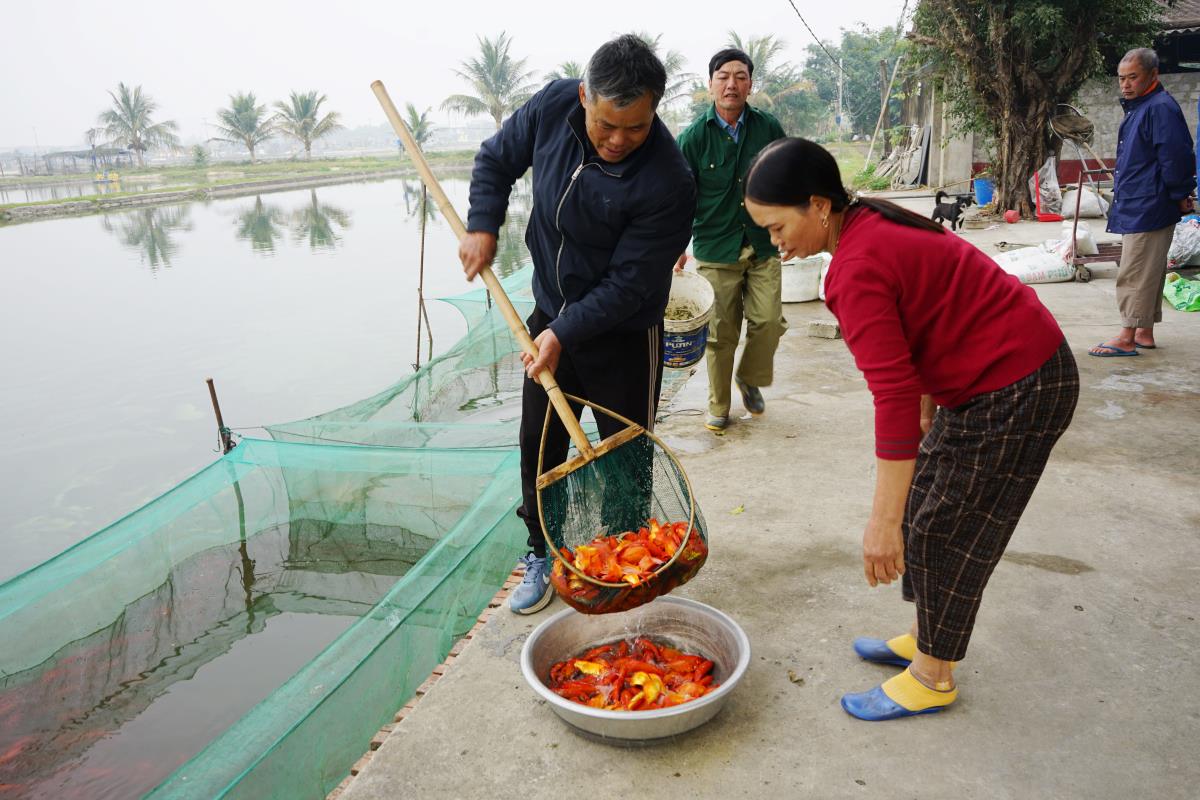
[604, 238]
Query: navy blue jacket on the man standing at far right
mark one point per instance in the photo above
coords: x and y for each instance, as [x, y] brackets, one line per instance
[1156, 167]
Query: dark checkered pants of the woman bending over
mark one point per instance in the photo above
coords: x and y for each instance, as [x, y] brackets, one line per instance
[976, 472]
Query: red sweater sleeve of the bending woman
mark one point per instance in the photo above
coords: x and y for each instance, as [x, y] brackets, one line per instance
[871, 322]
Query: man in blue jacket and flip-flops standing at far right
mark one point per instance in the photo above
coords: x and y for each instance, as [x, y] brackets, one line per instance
[1153, 190]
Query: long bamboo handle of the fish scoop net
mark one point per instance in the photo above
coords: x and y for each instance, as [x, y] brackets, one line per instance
[547, 378]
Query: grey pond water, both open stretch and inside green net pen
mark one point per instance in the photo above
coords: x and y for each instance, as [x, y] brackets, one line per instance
[295, 303]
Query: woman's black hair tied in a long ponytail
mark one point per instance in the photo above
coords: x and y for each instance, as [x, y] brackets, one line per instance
[790, 172]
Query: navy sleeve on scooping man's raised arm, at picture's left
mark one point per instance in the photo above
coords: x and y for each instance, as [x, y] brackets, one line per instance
[500, 163]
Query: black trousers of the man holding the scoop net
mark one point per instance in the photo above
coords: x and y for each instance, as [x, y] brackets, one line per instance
[621, 371]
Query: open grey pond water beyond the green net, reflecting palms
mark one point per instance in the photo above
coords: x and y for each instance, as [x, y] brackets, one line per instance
[295, 304]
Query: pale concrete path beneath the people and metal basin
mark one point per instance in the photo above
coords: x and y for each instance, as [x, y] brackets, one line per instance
[1083, 676]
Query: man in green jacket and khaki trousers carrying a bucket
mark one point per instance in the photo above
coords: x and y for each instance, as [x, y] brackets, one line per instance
[731, 251]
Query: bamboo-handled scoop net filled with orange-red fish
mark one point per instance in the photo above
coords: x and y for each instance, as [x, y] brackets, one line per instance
[626, 483]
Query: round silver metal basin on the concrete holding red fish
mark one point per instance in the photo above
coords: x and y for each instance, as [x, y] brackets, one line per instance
[685, 624]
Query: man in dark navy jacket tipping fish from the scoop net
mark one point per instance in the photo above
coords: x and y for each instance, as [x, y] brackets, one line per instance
[614, 203]
